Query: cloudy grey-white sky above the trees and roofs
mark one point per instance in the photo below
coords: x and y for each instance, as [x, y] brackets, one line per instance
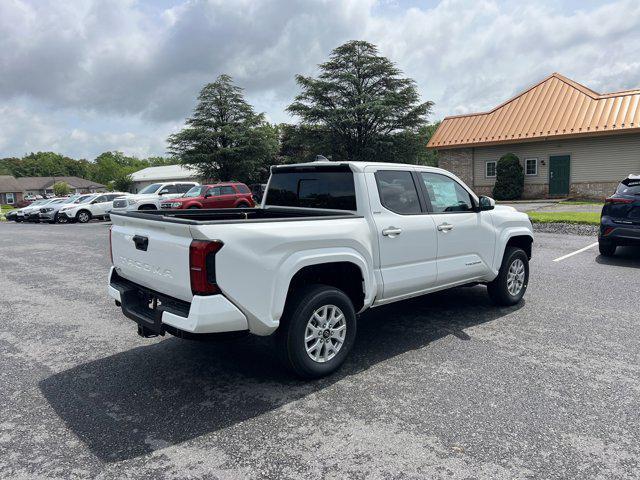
[82, 77]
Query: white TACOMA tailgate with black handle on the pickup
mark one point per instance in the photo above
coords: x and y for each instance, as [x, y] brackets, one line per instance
[153, 254]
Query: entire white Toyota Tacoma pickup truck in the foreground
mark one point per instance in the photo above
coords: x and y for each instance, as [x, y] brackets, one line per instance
[329, 241]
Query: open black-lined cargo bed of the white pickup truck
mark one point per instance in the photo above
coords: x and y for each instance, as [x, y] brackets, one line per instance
[238, 215]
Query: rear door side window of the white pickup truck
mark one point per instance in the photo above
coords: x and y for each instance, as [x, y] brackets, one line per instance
[398, 192]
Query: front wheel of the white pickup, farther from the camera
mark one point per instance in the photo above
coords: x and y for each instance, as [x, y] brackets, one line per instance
[509, 286]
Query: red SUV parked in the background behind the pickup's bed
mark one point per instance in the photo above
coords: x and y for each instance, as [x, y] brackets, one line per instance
[220, 195]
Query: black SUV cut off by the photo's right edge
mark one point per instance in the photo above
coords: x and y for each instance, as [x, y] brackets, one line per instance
[620, 220]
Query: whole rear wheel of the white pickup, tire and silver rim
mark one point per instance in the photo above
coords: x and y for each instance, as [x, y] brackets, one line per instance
[317, 331]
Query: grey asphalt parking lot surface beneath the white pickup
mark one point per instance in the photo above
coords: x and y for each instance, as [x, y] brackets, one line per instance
[446, 386]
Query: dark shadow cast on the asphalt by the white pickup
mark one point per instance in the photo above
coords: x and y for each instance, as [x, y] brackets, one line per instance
[147, 398]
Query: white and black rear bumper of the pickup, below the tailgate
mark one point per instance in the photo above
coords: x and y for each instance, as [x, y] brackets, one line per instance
[205, 314]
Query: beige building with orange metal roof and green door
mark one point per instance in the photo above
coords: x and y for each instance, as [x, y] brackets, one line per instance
[571, 140]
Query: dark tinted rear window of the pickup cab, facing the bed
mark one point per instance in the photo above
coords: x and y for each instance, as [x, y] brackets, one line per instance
[331, 188]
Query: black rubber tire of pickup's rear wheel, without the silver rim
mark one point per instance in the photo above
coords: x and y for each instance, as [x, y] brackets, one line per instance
[290, 336]
